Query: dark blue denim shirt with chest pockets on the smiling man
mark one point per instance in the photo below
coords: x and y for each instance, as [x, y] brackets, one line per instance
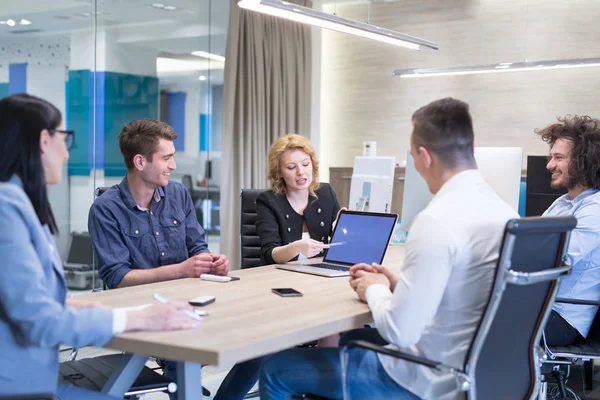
[126, 236]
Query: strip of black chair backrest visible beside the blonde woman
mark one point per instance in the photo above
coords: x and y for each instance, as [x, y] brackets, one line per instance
[249, 240]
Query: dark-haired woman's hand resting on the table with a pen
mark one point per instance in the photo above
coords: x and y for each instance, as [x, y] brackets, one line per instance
[160, 317]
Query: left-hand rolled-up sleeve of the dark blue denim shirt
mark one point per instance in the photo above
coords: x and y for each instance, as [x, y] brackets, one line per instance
[114, 259]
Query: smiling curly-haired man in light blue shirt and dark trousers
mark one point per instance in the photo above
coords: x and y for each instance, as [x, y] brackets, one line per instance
[575, 165]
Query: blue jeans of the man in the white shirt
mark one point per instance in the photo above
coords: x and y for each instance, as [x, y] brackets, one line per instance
[318, 371]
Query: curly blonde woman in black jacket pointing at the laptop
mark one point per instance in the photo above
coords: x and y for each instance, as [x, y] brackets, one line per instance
[296, 215]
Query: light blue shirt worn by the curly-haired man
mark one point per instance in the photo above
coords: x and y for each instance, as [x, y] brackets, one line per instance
[584, 256]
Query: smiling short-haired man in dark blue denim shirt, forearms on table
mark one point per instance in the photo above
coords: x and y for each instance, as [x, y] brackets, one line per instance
[145, 228]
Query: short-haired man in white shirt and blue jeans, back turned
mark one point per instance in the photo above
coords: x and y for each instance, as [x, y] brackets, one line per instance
[432, 308]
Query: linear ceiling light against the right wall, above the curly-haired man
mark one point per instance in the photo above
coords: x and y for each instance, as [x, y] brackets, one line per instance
[498, 68]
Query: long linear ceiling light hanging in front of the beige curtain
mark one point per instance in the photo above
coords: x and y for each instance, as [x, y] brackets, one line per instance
[305, 15]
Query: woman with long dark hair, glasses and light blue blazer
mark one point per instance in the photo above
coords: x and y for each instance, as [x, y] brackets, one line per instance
[35, 314]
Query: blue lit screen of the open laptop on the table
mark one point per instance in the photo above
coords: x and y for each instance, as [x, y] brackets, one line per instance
[362, 237]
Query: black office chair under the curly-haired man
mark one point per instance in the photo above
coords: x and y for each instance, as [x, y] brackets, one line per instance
[575, 355]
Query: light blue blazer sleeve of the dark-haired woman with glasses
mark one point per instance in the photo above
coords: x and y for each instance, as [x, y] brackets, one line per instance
[26, 301]
